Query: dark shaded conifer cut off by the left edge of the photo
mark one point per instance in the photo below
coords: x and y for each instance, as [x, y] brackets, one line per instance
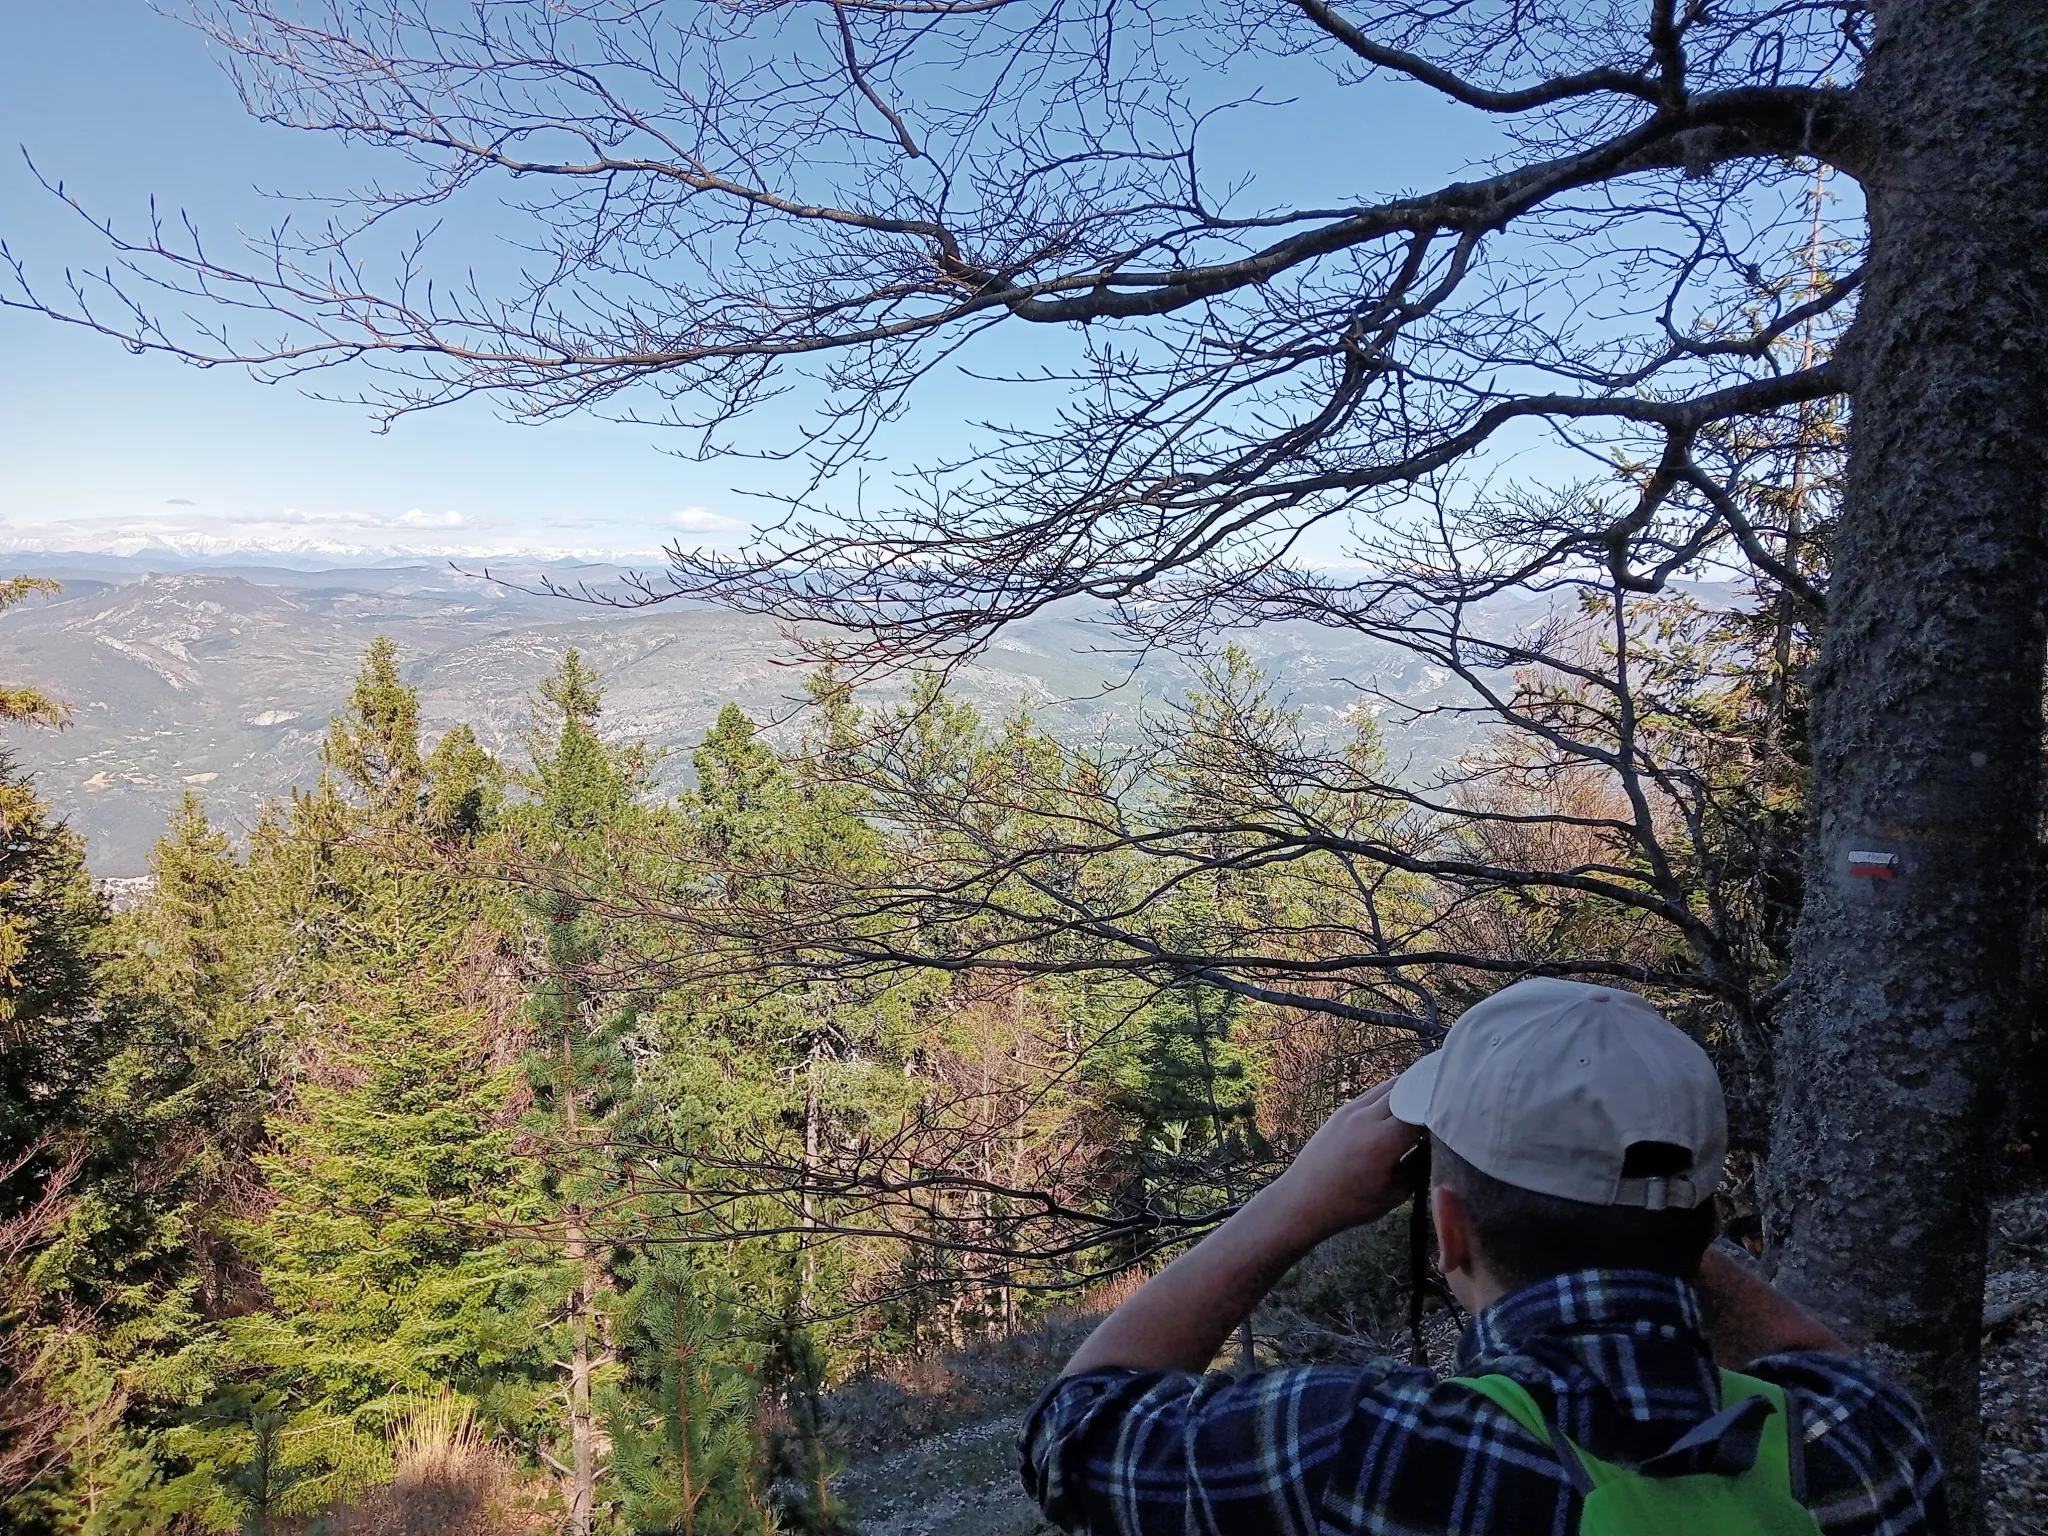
[97, 1117]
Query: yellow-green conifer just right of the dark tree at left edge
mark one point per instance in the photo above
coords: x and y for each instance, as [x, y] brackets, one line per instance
[179, 1111]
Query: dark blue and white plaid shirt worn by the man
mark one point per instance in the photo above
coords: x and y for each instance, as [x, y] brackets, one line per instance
[1613, 1357]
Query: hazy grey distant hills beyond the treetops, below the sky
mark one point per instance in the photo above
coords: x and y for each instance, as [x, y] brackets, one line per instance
[222, 681]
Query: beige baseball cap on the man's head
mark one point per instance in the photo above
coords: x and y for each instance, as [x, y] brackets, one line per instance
[1547, 1084]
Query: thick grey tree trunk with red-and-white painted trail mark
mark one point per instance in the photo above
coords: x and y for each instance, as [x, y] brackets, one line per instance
[1928, 726]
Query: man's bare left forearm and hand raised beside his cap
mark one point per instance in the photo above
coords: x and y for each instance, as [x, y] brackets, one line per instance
[1181, 1318]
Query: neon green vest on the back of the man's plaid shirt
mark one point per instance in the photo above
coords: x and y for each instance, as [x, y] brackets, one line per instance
[1621, 1502]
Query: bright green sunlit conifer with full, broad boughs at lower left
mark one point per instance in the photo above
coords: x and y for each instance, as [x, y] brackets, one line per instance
[384, 1275]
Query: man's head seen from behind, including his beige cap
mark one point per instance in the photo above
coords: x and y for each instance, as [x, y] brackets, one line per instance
[1574, 1129]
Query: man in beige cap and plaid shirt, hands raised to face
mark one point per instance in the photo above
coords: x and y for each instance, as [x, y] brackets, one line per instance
[1576, 1146]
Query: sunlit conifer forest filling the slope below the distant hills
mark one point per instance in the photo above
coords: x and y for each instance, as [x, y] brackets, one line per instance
[499, 1146]
